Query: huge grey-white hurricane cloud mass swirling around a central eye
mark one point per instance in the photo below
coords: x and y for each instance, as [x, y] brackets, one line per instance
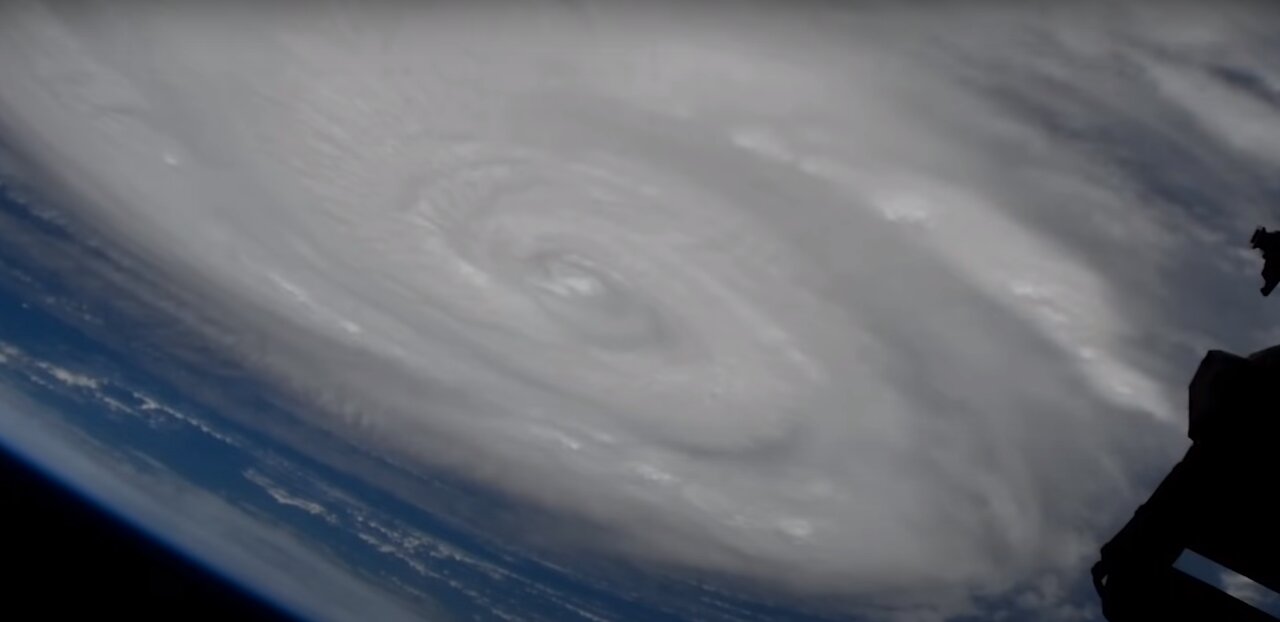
[847, 303]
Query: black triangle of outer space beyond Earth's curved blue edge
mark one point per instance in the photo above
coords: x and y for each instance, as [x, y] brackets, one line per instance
[65, 559]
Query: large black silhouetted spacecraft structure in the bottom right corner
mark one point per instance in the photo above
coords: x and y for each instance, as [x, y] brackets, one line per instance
[1219, 502]
